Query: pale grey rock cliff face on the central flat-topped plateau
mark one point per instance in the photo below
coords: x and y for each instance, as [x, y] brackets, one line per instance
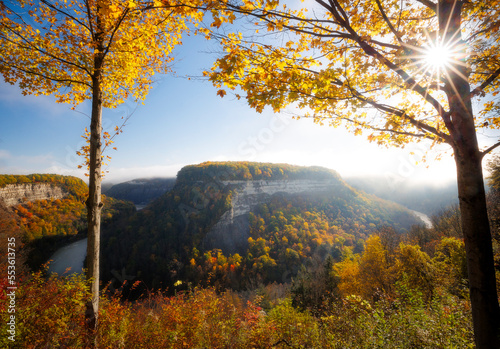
[231, 232]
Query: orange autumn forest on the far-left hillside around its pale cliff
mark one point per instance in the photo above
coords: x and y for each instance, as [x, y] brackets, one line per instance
[42, 226]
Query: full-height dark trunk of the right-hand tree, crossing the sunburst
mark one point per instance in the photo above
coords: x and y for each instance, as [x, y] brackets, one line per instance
[474, 217]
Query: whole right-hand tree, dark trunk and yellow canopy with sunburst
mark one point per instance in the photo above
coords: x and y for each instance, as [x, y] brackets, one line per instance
[403, 71]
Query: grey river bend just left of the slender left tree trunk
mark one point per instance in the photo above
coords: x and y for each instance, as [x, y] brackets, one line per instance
[70, 256]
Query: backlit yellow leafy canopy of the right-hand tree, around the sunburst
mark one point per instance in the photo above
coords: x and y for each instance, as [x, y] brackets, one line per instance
[379, 65]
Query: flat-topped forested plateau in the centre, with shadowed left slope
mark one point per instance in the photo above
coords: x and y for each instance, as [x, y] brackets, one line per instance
[282, 217]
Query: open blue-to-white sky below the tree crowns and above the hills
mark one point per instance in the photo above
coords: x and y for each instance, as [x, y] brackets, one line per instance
[184, 122]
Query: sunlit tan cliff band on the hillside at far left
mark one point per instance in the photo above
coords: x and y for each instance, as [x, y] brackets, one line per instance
[15, 194]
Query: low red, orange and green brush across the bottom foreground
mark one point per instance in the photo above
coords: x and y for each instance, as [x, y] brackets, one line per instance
[51, 313]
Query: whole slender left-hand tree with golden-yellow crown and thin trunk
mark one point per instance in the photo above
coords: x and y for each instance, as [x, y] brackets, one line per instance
[103, 51]
